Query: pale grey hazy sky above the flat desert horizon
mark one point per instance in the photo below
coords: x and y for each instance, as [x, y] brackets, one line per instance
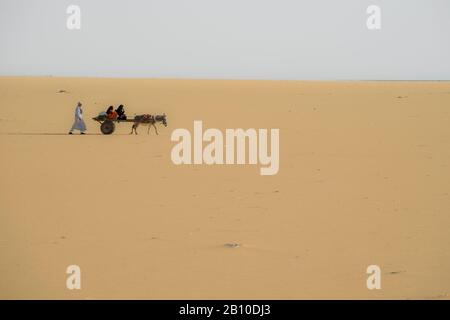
[237, 39]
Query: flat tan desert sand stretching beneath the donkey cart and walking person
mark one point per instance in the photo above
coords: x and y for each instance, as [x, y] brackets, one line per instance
[364, 179]
